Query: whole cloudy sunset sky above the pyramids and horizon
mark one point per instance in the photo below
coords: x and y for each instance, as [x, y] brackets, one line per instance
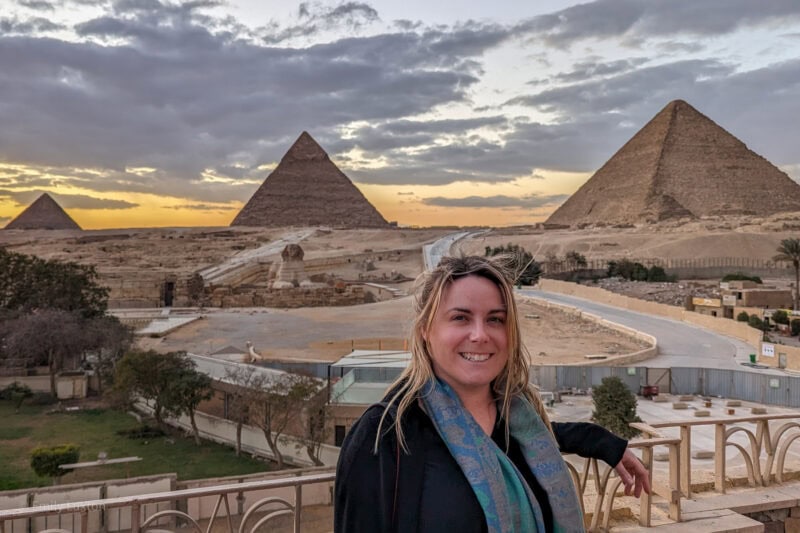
[138, 113]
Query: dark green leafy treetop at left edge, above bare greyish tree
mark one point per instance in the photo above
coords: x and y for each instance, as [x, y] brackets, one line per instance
[28, 283]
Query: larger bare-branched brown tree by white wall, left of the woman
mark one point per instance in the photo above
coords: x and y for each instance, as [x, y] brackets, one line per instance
[281, 400]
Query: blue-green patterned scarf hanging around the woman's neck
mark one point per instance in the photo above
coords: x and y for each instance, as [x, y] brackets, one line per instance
[507, 501]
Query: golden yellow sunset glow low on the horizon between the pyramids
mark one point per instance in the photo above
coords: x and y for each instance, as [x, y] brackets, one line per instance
[401, 203]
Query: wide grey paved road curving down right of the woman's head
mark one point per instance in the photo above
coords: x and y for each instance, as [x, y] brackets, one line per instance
[680, 344]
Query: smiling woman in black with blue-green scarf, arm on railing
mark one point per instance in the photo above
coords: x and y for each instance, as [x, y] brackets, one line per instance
[461, 442]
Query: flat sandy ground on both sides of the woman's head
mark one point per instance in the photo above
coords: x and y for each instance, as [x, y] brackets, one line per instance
[327, 334]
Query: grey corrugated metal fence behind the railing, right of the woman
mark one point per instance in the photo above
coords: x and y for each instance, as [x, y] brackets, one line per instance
[733, 384]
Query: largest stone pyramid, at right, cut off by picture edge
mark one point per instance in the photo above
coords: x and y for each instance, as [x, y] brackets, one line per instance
[680, 164]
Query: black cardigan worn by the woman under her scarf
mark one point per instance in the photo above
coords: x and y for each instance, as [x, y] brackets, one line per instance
[428, 492]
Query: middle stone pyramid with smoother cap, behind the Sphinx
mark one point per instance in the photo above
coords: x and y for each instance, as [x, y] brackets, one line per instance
[307, 189]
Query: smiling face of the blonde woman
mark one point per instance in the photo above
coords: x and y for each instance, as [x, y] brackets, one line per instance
[467, 339]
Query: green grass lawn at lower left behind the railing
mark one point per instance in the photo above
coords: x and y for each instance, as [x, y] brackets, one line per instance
[95, 430]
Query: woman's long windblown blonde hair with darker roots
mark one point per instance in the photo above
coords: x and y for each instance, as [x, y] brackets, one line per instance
[430, 287]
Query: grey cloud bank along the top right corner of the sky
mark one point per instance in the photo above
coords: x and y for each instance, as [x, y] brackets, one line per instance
[645, 19]
